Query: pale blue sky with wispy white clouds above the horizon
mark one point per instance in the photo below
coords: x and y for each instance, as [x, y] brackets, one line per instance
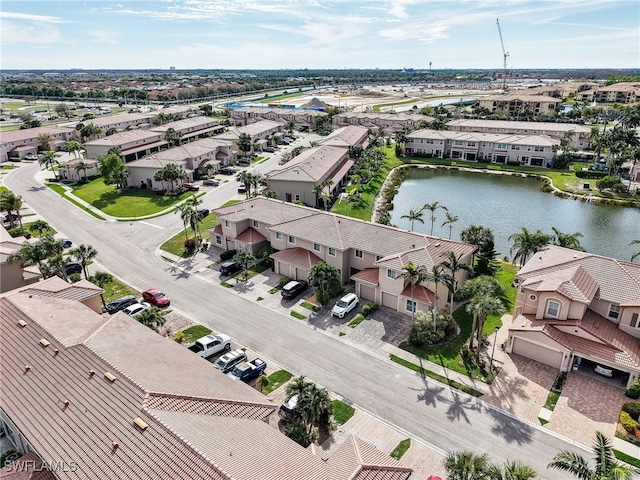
[236, 34]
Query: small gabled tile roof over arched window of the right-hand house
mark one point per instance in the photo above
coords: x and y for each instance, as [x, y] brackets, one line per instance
[574, 283]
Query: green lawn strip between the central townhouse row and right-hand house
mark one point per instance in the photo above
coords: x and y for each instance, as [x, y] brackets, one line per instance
[448, 354]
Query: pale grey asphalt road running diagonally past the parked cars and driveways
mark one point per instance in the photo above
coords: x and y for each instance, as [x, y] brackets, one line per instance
[445, 418]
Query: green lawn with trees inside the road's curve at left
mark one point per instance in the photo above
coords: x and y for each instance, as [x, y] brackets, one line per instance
[130, 203]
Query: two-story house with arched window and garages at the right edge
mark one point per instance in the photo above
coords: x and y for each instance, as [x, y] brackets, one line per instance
[575, 310]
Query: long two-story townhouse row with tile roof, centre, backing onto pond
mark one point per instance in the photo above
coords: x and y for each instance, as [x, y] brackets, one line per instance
[372, 255]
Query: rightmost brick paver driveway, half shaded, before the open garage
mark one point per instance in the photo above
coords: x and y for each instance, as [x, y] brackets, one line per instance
[587, 405]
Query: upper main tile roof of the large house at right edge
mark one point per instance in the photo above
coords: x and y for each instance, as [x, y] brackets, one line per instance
[618, 281]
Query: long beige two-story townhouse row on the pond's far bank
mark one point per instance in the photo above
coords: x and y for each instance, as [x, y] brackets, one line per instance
[533, 150]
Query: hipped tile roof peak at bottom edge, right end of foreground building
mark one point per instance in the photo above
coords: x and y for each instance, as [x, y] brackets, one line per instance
[356, 459]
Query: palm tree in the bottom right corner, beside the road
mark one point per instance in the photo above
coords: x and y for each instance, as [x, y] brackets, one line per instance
[606, 466]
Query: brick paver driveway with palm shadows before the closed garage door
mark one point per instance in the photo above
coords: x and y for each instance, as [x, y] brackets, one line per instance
[522, 386]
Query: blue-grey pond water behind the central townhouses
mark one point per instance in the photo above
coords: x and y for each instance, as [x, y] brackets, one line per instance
[506, 203]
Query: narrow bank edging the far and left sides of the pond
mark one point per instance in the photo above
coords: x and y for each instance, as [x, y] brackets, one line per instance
[378, 207]
